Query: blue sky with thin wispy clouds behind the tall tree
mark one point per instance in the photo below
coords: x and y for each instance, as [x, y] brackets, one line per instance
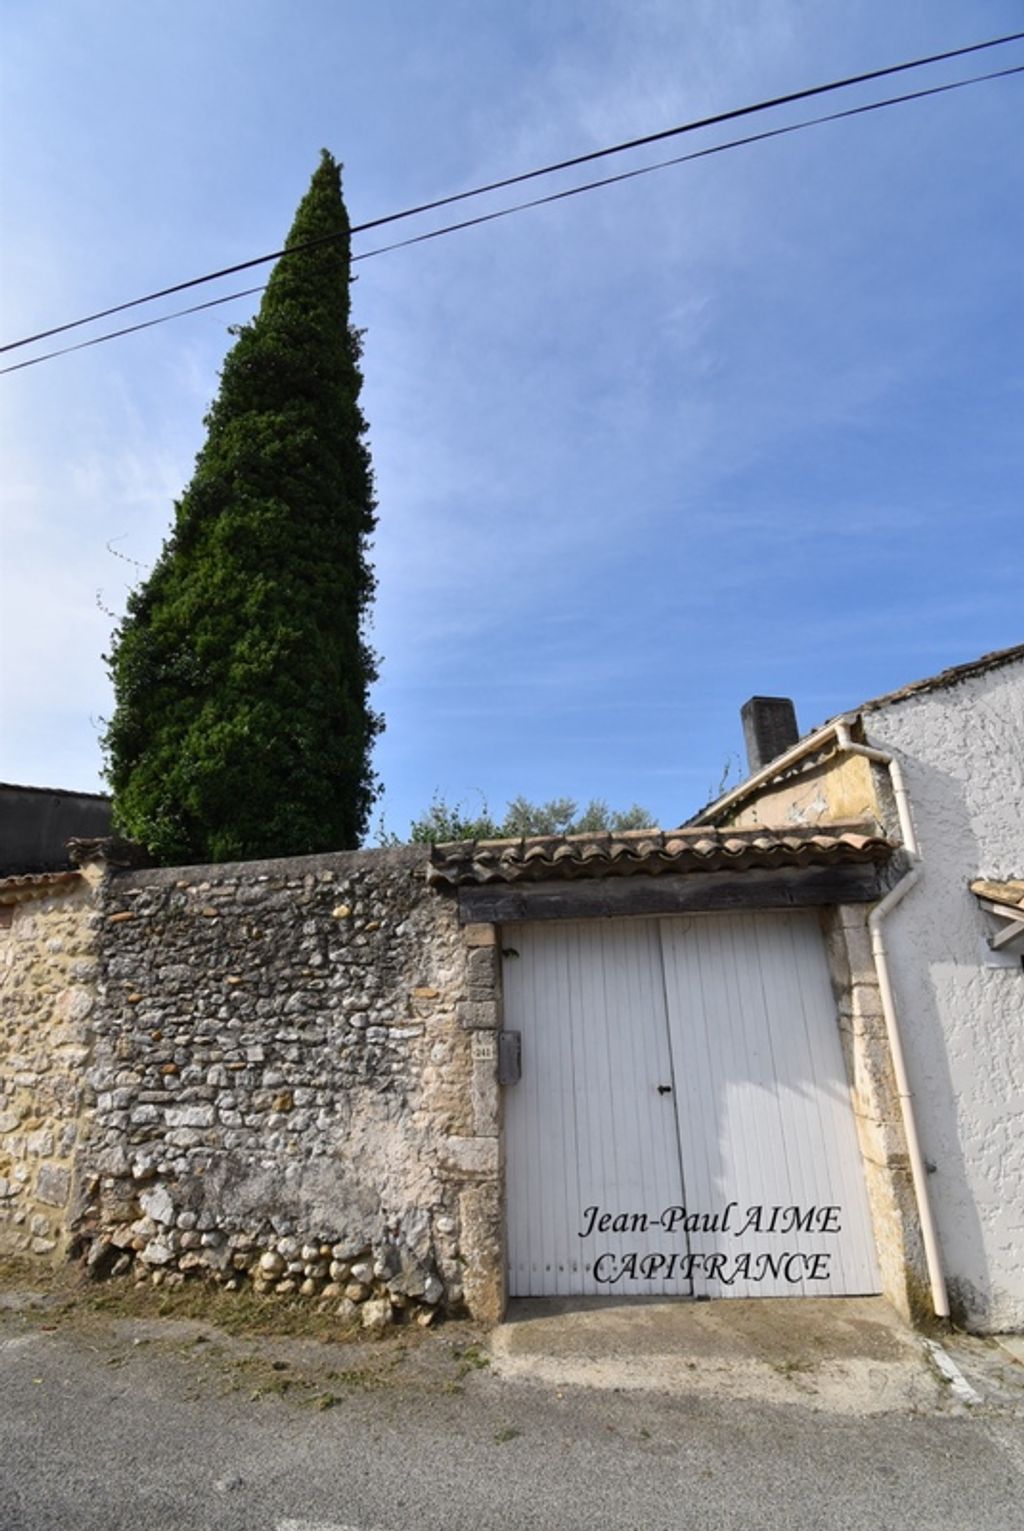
[751, 425]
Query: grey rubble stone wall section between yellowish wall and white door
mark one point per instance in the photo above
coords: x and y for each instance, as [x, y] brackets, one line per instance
[293, 1082]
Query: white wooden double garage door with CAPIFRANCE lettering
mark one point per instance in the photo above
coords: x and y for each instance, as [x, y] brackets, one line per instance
[683, 1120]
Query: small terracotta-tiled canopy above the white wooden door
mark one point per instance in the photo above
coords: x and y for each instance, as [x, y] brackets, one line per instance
[651, 852]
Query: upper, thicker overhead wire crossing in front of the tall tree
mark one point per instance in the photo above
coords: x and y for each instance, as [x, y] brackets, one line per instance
[527, 175]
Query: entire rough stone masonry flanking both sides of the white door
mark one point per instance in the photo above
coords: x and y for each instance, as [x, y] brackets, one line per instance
[285, 1074]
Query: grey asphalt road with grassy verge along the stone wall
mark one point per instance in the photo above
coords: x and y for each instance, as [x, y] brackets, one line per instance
[158, 1429]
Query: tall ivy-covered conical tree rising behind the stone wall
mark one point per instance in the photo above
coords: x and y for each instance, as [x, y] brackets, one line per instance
[243, 725]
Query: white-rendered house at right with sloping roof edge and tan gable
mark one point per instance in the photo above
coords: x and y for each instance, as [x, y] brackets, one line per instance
[953, 945]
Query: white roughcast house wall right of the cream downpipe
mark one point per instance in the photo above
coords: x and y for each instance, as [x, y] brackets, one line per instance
[964, 754]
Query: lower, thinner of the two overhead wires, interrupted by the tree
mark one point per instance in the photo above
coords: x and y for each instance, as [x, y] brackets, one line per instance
[543, 201]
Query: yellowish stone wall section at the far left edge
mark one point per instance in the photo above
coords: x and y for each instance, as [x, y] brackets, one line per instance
[48, 967]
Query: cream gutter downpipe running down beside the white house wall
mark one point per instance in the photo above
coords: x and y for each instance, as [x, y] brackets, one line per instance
[876, 919]
